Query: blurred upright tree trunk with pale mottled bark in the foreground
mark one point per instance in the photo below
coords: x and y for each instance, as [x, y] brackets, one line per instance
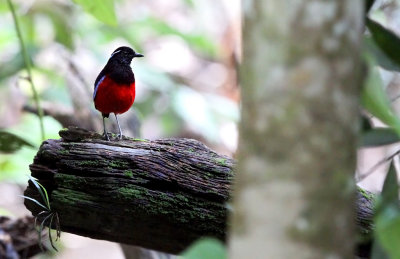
[300, 86]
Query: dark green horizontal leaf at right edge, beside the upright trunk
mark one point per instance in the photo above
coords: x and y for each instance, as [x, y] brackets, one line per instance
[379, 137]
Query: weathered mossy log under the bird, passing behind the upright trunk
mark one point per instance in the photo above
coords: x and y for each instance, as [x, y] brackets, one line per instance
[160, 194]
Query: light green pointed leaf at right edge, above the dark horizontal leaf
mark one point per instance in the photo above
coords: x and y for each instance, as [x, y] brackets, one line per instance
[375, 101]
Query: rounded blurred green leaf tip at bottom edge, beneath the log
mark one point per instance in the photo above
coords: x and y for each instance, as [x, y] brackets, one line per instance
[209, 248]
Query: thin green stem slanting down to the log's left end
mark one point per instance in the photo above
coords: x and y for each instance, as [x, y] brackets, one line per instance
[28, 68]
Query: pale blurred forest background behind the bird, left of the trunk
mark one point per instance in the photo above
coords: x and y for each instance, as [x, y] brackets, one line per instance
[186, 85]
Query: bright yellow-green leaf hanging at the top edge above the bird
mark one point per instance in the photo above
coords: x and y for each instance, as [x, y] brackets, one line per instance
[103, 10]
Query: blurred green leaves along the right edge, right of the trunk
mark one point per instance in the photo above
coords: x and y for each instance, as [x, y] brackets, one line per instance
[382, 51]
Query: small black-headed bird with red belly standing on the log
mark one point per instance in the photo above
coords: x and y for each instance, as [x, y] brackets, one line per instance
[114, 88]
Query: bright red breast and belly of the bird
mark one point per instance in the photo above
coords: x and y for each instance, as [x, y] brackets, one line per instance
[111, 97]
